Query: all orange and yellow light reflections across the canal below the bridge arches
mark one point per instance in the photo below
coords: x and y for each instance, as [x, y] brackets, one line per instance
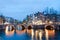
[38, 34]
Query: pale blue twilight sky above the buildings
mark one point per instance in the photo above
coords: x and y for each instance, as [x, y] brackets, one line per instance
[18, 9]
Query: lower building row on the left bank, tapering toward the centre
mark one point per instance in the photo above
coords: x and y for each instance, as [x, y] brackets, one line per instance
[4, 20]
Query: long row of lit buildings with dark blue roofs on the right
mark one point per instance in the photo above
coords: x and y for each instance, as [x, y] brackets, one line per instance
[41, 16]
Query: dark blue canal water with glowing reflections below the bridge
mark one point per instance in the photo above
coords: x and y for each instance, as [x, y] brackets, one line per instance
[30, 35]
